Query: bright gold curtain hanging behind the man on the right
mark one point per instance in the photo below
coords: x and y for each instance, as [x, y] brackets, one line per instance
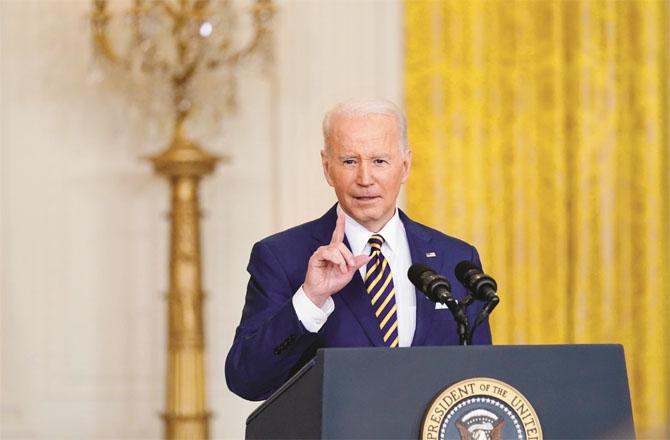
[540, 134]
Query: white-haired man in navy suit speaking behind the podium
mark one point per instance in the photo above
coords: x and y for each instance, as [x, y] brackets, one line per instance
[341, 280]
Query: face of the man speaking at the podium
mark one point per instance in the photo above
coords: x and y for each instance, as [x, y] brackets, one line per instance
[366, 166]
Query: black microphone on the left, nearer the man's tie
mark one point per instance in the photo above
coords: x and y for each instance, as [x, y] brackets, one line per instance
[437, 288]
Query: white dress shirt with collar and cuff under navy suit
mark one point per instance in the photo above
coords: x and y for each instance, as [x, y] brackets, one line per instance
[396, 251]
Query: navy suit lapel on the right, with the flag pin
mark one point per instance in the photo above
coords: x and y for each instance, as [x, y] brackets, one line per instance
[420, 247]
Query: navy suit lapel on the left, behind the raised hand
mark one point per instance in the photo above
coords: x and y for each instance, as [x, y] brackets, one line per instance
[353, 294]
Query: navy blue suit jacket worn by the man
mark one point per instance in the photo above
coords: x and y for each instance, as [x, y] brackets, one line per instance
[271, 344]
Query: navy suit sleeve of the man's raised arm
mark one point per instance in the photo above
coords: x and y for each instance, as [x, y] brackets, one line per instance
[270, 340]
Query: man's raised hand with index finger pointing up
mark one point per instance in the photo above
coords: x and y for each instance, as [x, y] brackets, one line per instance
[331, 267]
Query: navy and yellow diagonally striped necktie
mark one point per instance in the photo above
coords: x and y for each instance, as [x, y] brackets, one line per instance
[379, 284]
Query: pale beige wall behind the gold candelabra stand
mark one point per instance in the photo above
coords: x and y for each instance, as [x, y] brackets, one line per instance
[83, 234]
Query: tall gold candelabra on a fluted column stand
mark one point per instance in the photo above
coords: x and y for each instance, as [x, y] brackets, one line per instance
[180, 58]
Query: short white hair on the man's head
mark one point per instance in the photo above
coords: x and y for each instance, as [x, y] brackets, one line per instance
[364, 107]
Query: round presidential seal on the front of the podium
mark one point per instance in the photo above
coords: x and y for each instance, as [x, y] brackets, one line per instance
[480, 409]
